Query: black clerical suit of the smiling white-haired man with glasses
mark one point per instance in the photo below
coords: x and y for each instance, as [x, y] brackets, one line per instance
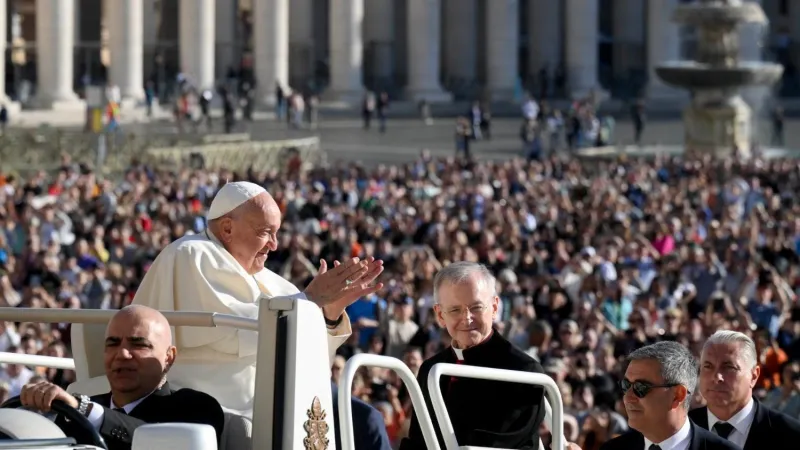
[485, 413]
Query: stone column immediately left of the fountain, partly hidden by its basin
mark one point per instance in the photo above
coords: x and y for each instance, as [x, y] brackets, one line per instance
[663, 44]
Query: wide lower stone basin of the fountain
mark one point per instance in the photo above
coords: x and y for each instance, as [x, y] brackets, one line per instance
[696, 76]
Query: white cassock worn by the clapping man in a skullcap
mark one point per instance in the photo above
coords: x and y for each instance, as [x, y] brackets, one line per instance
[196, 273]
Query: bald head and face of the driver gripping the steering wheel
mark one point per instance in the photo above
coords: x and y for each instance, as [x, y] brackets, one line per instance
[138, 352]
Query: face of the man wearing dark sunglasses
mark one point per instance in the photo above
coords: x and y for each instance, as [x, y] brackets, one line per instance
[650, 412]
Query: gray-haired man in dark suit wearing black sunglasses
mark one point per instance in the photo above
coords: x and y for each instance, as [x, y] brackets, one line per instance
[657, 386]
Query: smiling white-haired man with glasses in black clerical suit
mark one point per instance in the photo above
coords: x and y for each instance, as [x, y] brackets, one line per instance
[483, 413]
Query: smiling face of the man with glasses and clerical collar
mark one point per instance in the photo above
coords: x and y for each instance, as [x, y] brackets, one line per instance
[467, 310]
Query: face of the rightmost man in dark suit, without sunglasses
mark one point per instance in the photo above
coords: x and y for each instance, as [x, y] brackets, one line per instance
[725, 378]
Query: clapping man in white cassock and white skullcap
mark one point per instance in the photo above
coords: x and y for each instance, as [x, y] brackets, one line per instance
[222, 270]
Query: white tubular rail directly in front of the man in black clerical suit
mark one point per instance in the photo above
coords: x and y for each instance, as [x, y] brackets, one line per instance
[555, 421]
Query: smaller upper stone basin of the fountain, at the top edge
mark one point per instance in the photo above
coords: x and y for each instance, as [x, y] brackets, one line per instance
[710, 14]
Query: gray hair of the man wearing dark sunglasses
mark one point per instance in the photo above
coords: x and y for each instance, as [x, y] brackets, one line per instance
[678, 366]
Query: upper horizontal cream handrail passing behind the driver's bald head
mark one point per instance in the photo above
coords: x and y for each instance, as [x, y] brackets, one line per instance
[102, 316]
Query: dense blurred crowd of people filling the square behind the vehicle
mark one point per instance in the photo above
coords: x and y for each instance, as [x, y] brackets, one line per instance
[592, 260]
